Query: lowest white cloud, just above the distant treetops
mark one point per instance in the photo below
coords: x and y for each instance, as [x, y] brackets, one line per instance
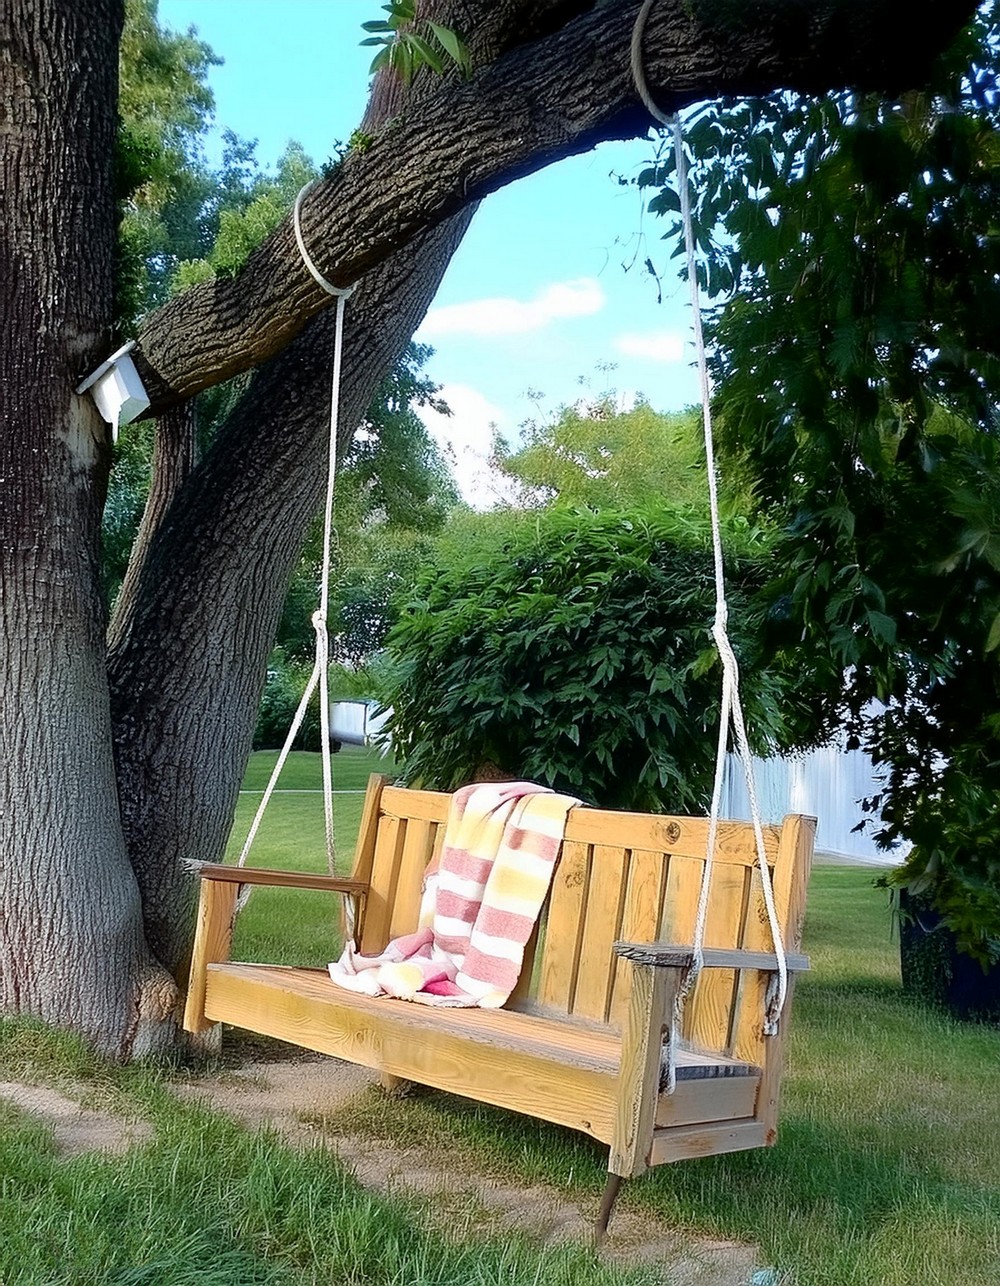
[466, 437]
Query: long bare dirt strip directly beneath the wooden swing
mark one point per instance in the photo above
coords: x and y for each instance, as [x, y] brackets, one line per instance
[296, 1098]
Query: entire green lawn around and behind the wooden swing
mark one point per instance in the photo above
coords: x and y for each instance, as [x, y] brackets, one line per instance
[886, 1173]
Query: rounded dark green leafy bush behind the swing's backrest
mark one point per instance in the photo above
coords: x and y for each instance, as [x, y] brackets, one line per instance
[575, 650]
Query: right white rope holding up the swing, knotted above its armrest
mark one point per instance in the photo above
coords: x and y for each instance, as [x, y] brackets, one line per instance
[732, 707]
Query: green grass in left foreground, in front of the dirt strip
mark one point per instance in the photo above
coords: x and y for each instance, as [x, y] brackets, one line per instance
[214, 1204]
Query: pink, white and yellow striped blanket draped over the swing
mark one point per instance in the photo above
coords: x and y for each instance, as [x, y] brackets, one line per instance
[479, 906]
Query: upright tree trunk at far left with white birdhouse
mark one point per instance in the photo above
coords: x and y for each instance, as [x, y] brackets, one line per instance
[71, 939]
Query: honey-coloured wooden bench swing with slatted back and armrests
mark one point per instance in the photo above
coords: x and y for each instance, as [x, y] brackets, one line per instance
[580, 1041]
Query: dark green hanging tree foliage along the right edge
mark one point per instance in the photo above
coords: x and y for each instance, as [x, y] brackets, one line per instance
[858, 368]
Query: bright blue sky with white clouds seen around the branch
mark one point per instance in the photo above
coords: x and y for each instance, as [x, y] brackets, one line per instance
[538, 298]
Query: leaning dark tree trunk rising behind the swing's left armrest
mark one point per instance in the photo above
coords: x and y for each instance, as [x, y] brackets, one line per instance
[188, 664]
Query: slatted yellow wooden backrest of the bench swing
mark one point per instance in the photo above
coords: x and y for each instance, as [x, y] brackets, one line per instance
[621, 876]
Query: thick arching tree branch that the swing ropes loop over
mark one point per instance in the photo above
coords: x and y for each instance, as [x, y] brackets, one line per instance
[538, 104]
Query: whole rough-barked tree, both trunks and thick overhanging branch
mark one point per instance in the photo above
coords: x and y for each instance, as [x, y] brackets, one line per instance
[114, 771]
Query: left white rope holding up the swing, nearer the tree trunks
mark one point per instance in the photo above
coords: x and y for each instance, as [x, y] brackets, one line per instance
[321, 667]
